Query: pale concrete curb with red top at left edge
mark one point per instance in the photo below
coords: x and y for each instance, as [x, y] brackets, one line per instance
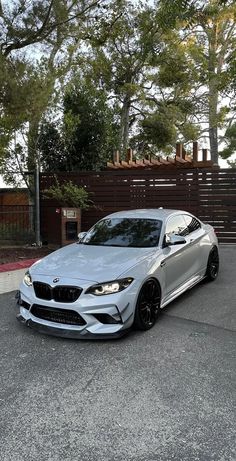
[11, 274]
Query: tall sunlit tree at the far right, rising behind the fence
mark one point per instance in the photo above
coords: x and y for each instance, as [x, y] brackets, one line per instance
[207, 30]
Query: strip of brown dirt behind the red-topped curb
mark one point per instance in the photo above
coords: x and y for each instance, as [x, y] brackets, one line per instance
[15, 254]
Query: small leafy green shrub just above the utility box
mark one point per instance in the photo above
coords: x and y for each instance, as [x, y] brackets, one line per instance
[68, 194]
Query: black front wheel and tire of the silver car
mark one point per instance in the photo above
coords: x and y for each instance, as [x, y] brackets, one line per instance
[148, 305]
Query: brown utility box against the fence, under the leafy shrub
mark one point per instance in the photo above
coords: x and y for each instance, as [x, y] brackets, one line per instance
[70, 225]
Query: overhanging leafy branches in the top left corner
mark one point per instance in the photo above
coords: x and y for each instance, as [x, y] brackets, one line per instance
[27, 23]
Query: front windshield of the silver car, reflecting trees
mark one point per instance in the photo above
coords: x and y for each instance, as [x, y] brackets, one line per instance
[124, 232]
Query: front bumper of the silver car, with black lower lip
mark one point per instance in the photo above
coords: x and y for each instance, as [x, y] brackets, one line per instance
[101, 317]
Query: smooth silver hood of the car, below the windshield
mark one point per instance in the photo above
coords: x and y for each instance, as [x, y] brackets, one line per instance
[92, 263]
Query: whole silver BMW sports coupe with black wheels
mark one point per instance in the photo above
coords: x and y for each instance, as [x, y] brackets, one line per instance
[119, 274]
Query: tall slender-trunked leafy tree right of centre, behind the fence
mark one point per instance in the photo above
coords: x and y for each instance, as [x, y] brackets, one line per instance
[121, 66]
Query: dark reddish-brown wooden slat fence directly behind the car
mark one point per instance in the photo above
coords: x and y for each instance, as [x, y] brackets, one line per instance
[210, 194]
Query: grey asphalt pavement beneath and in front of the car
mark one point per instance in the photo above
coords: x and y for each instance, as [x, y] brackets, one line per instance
[168, 394]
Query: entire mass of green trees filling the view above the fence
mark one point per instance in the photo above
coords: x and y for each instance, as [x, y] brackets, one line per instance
[112, 71]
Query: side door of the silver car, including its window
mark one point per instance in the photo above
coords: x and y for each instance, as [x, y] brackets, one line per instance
[178, 260]
